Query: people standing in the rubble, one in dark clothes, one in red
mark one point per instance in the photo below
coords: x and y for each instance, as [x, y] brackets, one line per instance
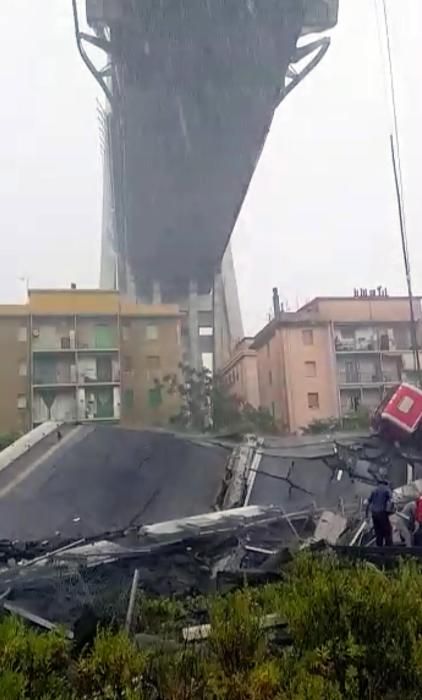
[380, 505]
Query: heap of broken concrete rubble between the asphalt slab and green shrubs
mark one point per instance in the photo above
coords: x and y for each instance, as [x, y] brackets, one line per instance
[277, 496]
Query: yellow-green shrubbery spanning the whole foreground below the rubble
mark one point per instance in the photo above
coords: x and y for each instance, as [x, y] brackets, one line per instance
[356, 633]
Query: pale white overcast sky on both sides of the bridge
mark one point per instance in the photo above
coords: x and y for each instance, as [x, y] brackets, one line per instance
[320, 216]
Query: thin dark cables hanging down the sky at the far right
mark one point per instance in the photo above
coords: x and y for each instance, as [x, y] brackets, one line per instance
[398, 181]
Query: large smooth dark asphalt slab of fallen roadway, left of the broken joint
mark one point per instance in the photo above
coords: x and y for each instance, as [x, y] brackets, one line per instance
[106, 478]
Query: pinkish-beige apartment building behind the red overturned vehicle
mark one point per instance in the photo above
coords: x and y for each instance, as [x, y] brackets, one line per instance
[333, 356]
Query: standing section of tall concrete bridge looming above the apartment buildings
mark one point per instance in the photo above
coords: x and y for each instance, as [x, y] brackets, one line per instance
[191, 89]
